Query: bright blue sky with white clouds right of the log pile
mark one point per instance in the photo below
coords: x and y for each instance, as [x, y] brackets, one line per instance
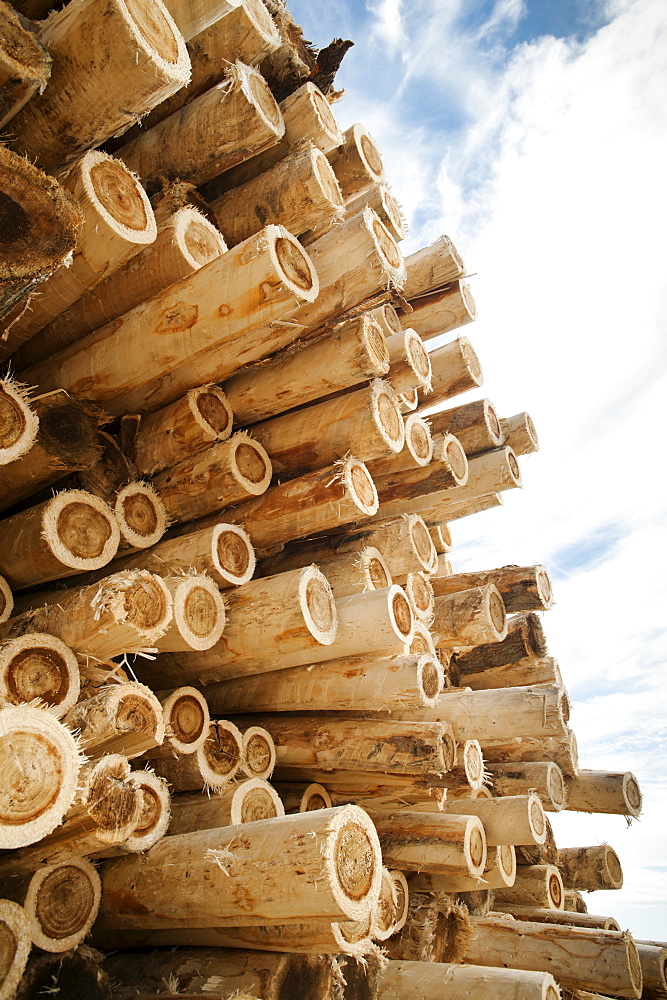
[534, 133]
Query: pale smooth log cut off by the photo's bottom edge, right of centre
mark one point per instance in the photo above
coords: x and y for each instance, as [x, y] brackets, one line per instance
[438, 981]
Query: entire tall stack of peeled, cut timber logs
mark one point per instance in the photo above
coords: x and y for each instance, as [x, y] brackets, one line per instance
[255, 730]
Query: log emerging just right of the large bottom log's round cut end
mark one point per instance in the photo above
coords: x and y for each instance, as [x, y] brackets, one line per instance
[447, 844]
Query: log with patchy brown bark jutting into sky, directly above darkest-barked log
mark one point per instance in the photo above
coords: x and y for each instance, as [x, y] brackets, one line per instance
[522, 588]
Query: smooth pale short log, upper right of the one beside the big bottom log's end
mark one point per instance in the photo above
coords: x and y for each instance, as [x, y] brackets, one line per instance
[514, 819]
